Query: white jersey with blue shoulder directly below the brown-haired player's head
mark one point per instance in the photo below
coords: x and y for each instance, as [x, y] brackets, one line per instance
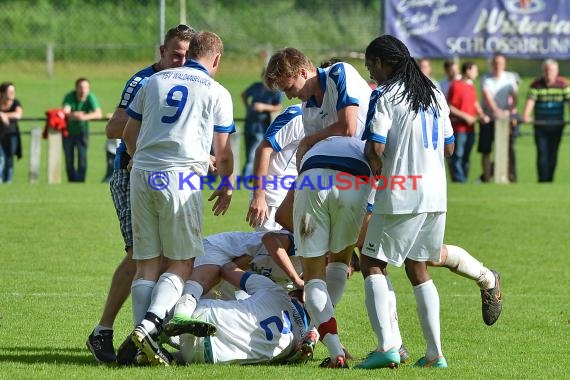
[284, 135]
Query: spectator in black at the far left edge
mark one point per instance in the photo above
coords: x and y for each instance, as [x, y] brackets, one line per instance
[10, 142]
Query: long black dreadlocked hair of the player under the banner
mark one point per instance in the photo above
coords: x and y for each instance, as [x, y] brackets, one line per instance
[418, 90]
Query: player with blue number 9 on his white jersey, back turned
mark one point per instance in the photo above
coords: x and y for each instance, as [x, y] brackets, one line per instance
[173, 121]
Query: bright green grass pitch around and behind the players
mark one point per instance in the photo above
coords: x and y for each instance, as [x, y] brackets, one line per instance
[60, 244]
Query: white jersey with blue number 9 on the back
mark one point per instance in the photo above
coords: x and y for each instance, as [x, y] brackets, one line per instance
[180, 109]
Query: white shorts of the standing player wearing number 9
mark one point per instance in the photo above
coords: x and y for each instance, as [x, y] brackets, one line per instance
[166, 221]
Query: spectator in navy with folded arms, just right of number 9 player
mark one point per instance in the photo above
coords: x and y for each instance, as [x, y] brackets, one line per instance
[259, 102]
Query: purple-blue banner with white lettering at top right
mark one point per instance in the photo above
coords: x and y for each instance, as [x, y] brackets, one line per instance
[447, 28]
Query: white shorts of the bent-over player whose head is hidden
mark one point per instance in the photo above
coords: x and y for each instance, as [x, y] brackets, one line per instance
[329, 219]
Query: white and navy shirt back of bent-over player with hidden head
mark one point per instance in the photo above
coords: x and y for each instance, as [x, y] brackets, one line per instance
[345, 154]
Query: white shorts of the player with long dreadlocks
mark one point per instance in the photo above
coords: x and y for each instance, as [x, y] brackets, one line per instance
[395, 238]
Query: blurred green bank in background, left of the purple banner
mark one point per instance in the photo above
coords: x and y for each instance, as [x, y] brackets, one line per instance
[128, 29]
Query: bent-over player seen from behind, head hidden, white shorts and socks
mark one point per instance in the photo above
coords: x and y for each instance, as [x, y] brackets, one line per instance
[330, 200]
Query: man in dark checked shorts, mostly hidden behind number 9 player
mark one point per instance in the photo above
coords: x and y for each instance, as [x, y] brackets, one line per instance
[173, 53]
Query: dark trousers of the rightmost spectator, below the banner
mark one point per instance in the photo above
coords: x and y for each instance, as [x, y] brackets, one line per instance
[547, 140]
